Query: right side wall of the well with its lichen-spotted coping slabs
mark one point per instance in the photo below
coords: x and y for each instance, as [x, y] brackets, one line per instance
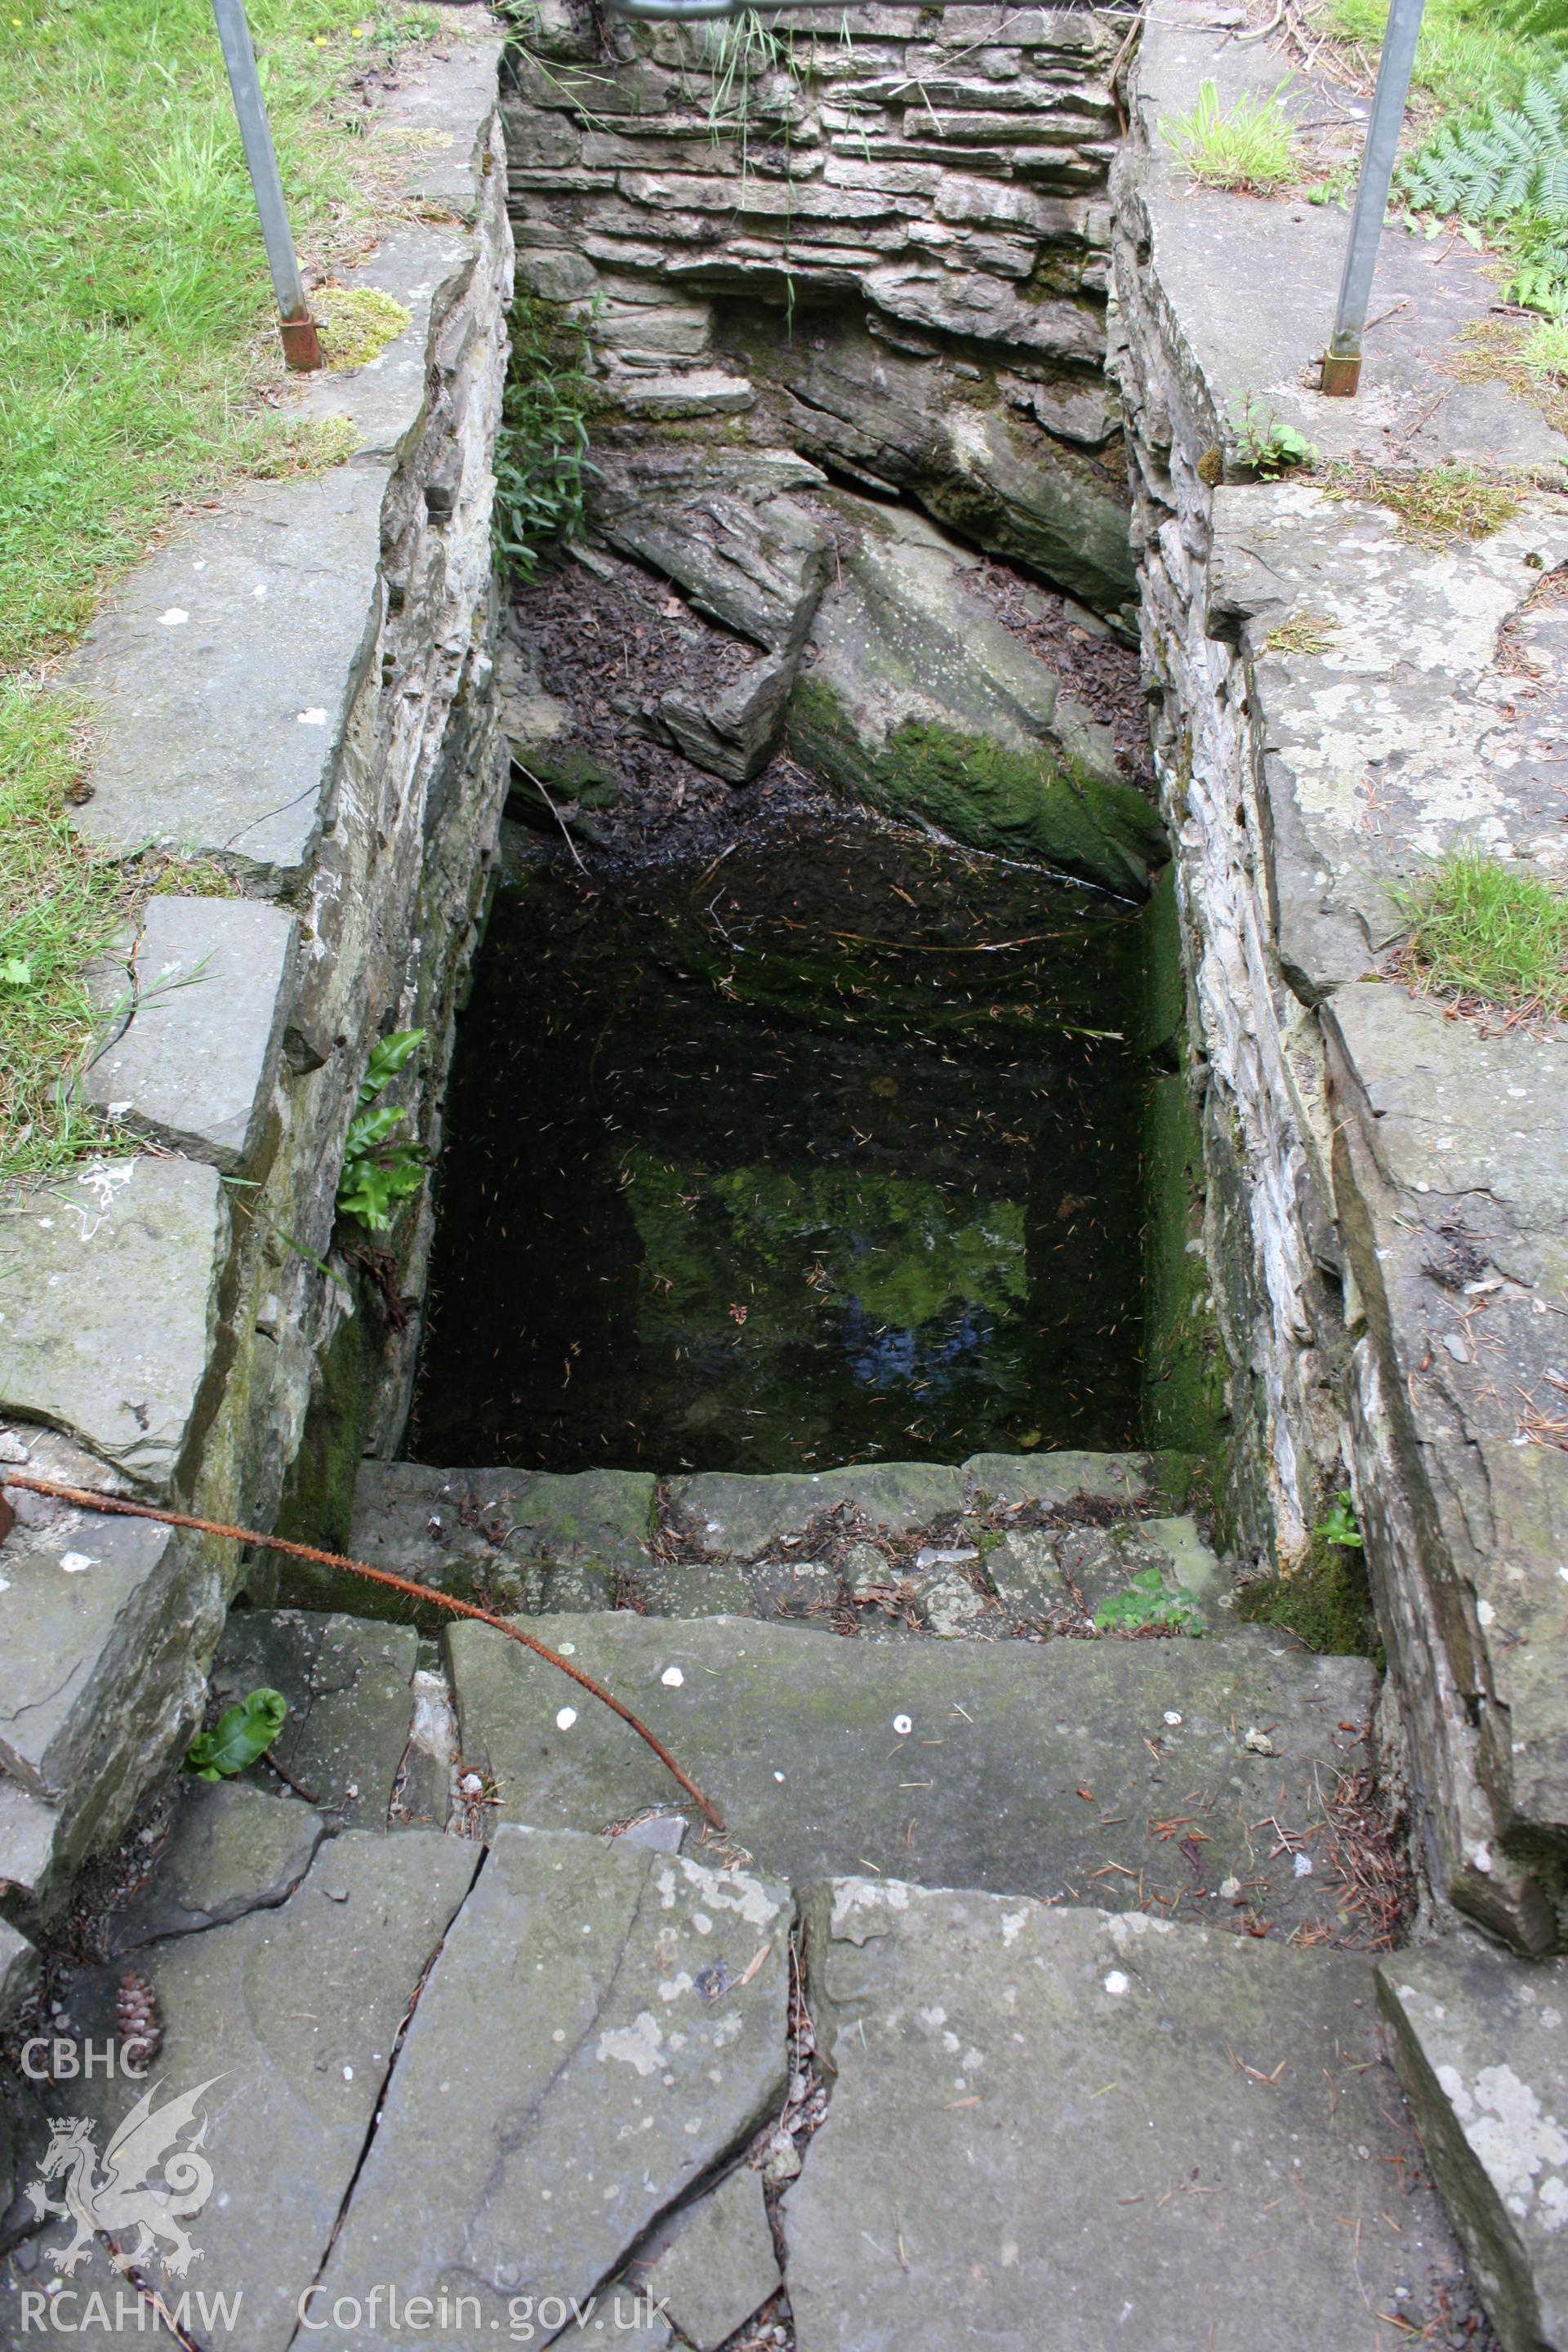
[1336, 704]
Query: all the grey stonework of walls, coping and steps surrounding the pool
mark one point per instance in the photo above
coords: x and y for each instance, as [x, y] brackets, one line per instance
[1050, 1984]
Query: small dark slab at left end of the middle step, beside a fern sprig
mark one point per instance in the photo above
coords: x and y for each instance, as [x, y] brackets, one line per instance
[351, 1699]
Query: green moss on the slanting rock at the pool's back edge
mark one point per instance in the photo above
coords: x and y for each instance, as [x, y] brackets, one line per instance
[984, 794]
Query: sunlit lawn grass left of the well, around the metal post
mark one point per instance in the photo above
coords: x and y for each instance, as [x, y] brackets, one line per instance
[140, 342]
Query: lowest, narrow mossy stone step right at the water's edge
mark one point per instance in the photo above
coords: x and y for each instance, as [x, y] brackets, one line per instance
[989, 1549]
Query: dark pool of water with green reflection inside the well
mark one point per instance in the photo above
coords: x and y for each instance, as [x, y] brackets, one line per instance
[798, 1158]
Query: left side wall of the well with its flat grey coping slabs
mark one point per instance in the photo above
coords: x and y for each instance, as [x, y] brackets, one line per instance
[297, 695]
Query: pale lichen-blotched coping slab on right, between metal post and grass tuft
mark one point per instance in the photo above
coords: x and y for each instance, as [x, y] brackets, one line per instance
[1402, 719]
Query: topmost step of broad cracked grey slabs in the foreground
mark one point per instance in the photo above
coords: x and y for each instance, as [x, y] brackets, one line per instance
[991, 2118]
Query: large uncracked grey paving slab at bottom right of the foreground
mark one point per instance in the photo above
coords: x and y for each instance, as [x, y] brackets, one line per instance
[1043, 2134]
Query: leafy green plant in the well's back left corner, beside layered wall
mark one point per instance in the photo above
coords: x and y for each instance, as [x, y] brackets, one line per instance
[542, 448]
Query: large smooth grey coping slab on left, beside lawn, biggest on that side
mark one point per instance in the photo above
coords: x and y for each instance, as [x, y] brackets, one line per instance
[227, 671]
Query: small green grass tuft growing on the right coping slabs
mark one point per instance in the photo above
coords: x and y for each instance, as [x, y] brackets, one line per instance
[1494, 935]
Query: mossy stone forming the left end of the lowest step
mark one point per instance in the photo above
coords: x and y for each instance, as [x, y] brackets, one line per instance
[535, 1539]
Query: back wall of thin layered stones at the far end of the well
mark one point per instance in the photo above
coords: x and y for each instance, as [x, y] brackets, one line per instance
[883, 248]
